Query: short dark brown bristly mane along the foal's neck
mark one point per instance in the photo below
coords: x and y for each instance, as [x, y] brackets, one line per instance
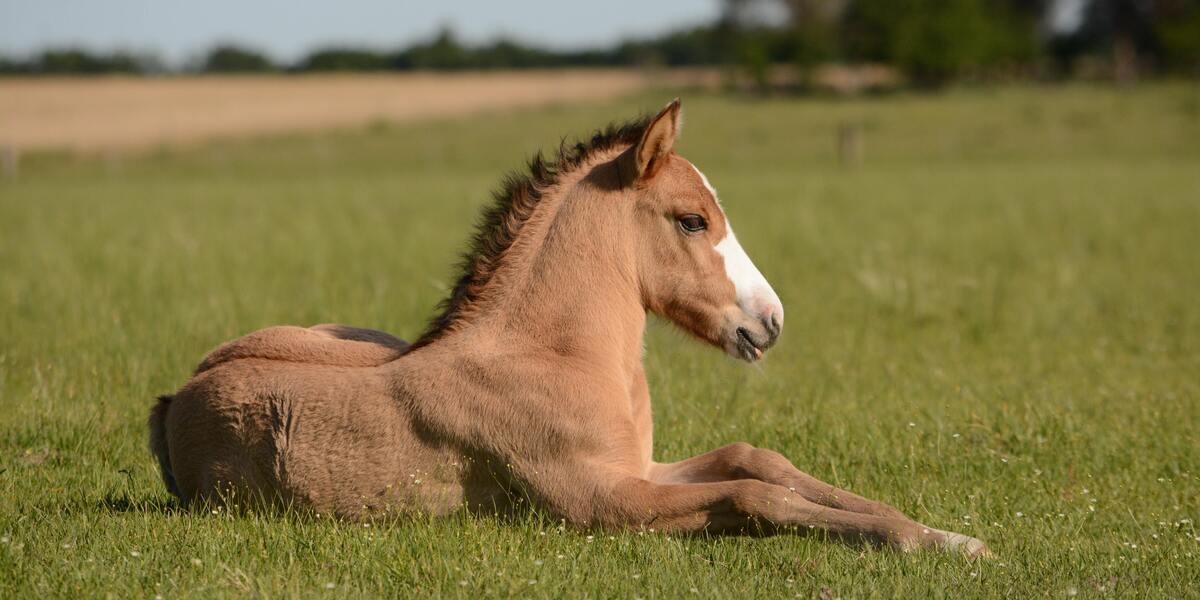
[500, 224]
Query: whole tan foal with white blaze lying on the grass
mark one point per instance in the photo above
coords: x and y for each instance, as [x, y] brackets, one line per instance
[530, 385]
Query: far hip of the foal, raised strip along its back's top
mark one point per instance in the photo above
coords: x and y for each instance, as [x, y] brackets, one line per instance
[321, 345]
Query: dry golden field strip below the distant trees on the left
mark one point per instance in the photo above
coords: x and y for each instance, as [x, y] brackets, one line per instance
[129, 113]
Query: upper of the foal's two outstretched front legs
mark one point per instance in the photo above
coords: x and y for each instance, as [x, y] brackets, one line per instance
[745, 461]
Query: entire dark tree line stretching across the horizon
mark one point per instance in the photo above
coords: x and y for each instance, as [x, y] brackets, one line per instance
[929, 41]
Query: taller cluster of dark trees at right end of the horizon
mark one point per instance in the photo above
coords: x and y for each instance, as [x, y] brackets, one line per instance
[934, 41]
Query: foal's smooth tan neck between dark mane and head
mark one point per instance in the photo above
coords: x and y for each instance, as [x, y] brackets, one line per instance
[568, 289]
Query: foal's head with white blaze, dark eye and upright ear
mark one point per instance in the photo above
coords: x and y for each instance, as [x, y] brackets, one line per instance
[692, 268]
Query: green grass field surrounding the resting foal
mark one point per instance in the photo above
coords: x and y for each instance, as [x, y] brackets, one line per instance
[993, 323]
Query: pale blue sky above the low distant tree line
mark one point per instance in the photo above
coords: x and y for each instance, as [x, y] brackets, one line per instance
[179, 31]
